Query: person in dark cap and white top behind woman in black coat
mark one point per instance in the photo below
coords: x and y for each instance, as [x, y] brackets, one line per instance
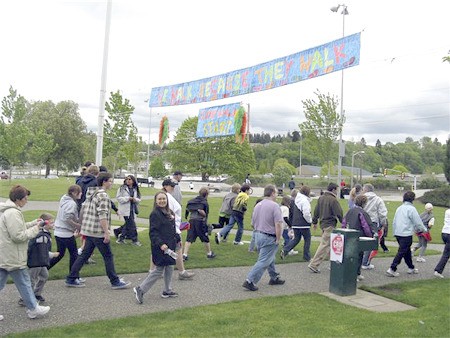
[169, 187]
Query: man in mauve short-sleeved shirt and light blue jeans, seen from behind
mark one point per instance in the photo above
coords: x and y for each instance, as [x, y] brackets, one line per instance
[268, 225]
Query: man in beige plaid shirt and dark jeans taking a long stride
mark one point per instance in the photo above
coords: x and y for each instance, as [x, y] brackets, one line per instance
[95, 225]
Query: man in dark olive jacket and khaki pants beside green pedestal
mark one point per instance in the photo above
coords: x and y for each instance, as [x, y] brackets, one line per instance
[328, 211]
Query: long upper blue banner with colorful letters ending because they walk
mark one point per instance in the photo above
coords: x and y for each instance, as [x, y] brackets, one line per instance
[317, 61]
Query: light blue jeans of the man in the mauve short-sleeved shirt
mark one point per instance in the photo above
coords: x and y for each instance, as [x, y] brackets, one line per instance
[267, 248]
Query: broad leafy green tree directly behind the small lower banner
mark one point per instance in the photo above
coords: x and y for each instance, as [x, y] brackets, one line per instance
[212, 156]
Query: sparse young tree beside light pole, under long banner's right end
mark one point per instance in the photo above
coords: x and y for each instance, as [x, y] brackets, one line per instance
[323, 125]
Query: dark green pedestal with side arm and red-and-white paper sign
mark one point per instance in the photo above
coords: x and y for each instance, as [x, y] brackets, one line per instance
[345, 246]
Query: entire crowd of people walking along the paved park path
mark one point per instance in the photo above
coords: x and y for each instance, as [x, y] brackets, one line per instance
[25, 247]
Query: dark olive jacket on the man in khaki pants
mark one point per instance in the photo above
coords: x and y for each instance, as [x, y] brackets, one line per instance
[328, 211]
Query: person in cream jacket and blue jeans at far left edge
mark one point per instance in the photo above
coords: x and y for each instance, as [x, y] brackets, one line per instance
[14, 236]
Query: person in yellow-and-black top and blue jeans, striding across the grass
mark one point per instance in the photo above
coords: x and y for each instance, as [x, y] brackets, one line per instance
[237, 216]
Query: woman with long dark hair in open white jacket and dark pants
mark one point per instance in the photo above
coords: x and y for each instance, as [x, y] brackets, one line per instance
[129, 197]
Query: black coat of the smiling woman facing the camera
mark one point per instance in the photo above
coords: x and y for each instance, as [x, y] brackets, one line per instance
[162, 231]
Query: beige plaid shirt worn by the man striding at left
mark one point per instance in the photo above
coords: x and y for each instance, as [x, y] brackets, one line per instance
[96, 207]
